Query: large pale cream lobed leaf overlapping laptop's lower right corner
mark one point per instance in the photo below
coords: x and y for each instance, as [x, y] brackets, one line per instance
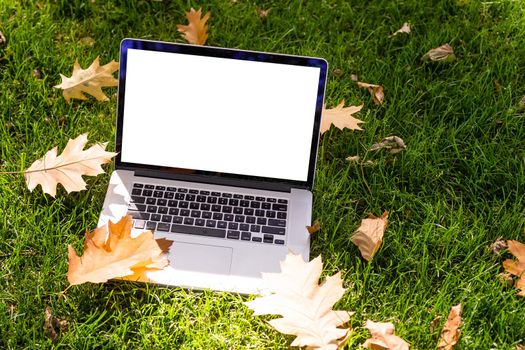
[305, 306]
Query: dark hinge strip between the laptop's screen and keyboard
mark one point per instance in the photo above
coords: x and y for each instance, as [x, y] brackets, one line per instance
[271, 186]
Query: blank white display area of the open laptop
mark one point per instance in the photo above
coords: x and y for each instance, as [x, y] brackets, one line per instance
[219, 115]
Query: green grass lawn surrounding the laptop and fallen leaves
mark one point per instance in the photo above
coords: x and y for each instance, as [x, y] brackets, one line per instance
[458, 186]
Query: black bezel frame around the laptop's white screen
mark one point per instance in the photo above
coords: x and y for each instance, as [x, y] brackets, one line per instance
[196, 175]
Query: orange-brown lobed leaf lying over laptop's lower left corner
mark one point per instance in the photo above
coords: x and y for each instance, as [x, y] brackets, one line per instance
[115, 254]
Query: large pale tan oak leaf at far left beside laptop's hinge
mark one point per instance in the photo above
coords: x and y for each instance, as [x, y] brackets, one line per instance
[68, 168]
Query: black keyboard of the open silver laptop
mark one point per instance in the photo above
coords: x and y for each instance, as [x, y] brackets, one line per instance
[208, 213]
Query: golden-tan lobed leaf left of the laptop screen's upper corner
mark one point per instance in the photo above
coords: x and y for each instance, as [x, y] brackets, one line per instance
[90, 81]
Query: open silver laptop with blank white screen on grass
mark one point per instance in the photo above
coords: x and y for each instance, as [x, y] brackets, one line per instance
[216, 152]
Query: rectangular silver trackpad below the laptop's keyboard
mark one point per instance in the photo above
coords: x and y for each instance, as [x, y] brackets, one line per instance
[201, 258]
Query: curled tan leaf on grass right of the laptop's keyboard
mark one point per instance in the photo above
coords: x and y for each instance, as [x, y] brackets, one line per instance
[369, 236]
